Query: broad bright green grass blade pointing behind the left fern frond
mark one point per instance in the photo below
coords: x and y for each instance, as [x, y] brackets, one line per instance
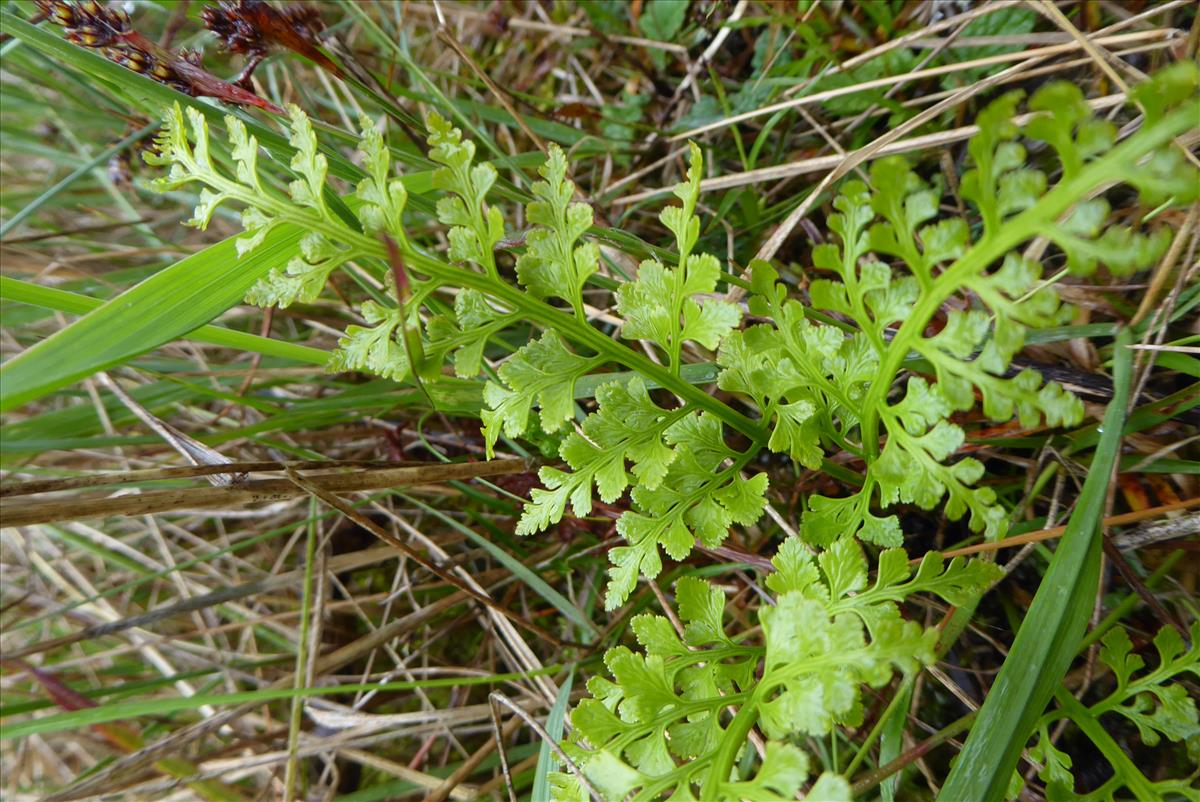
[164, 308]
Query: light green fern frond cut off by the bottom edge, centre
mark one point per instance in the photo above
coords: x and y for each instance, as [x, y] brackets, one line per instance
[675, 719]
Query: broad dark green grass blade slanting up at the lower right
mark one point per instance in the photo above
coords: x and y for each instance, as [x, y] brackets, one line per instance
[1051, 635]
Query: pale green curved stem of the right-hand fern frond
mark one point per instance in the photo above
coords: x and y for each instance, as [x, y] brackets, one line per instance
[999, 242]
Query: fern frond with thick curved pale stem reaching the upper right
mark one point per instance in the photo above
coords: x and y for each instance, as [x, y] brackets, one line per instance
[850, 378]
